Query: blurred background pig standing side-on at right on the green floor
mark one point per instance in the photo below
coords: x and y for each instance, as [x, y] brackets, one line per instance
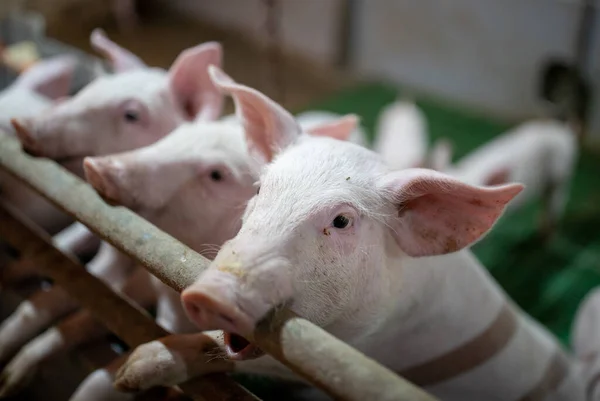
[540, 154]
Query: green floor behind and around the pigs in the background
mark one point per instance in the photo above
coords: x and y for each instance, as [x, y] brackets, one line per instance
[547, 280]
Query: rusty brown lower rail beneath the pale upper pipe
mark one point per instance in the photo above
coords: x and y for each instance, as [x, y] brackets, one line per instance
[130, 322]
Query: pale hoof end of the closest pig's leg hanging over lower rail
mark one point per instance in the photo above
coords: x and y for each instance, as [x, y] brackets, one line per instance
[148, 366]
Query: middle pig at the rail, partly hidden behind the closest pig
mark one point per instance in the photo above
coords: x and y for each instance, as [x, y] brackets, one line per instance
[164, 183]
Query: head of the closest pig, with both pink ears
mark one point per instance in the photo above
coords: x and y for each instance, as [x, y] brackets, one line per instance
[290, 228]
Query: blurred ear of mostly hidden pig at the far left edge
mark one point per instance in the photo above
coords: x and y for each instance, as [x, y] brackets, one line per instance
[51, 78]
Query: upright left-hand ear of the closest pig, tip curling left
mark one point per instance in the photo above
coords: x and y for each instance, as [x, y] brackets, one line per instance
[269, 127]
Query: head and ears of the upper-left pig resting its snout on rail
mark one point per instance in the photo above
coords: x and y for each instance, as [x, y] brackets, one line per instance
[130, 109]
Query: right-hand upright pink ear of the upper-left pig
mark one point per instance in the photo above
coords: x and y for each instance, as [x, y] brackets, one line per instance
[190, 83]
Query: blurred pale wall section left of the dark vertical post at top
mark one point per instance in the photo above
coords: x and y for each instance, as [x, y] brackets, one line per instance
[310, 27]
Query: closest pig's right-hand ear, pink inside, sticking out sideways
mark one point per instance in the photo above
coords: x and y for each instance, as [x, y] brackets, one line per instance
[436, 214]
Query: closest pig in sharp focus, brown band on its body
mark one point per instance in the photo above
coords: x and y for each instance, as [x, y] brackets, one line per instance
[377, 257]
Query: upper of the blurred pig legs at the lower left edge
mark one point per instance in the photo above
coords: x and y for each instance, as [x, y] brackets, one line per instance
[31, 317]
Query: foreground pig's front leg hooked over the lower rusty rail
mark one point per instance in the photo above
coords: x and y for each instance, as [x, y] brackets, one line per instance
[172, 360]
